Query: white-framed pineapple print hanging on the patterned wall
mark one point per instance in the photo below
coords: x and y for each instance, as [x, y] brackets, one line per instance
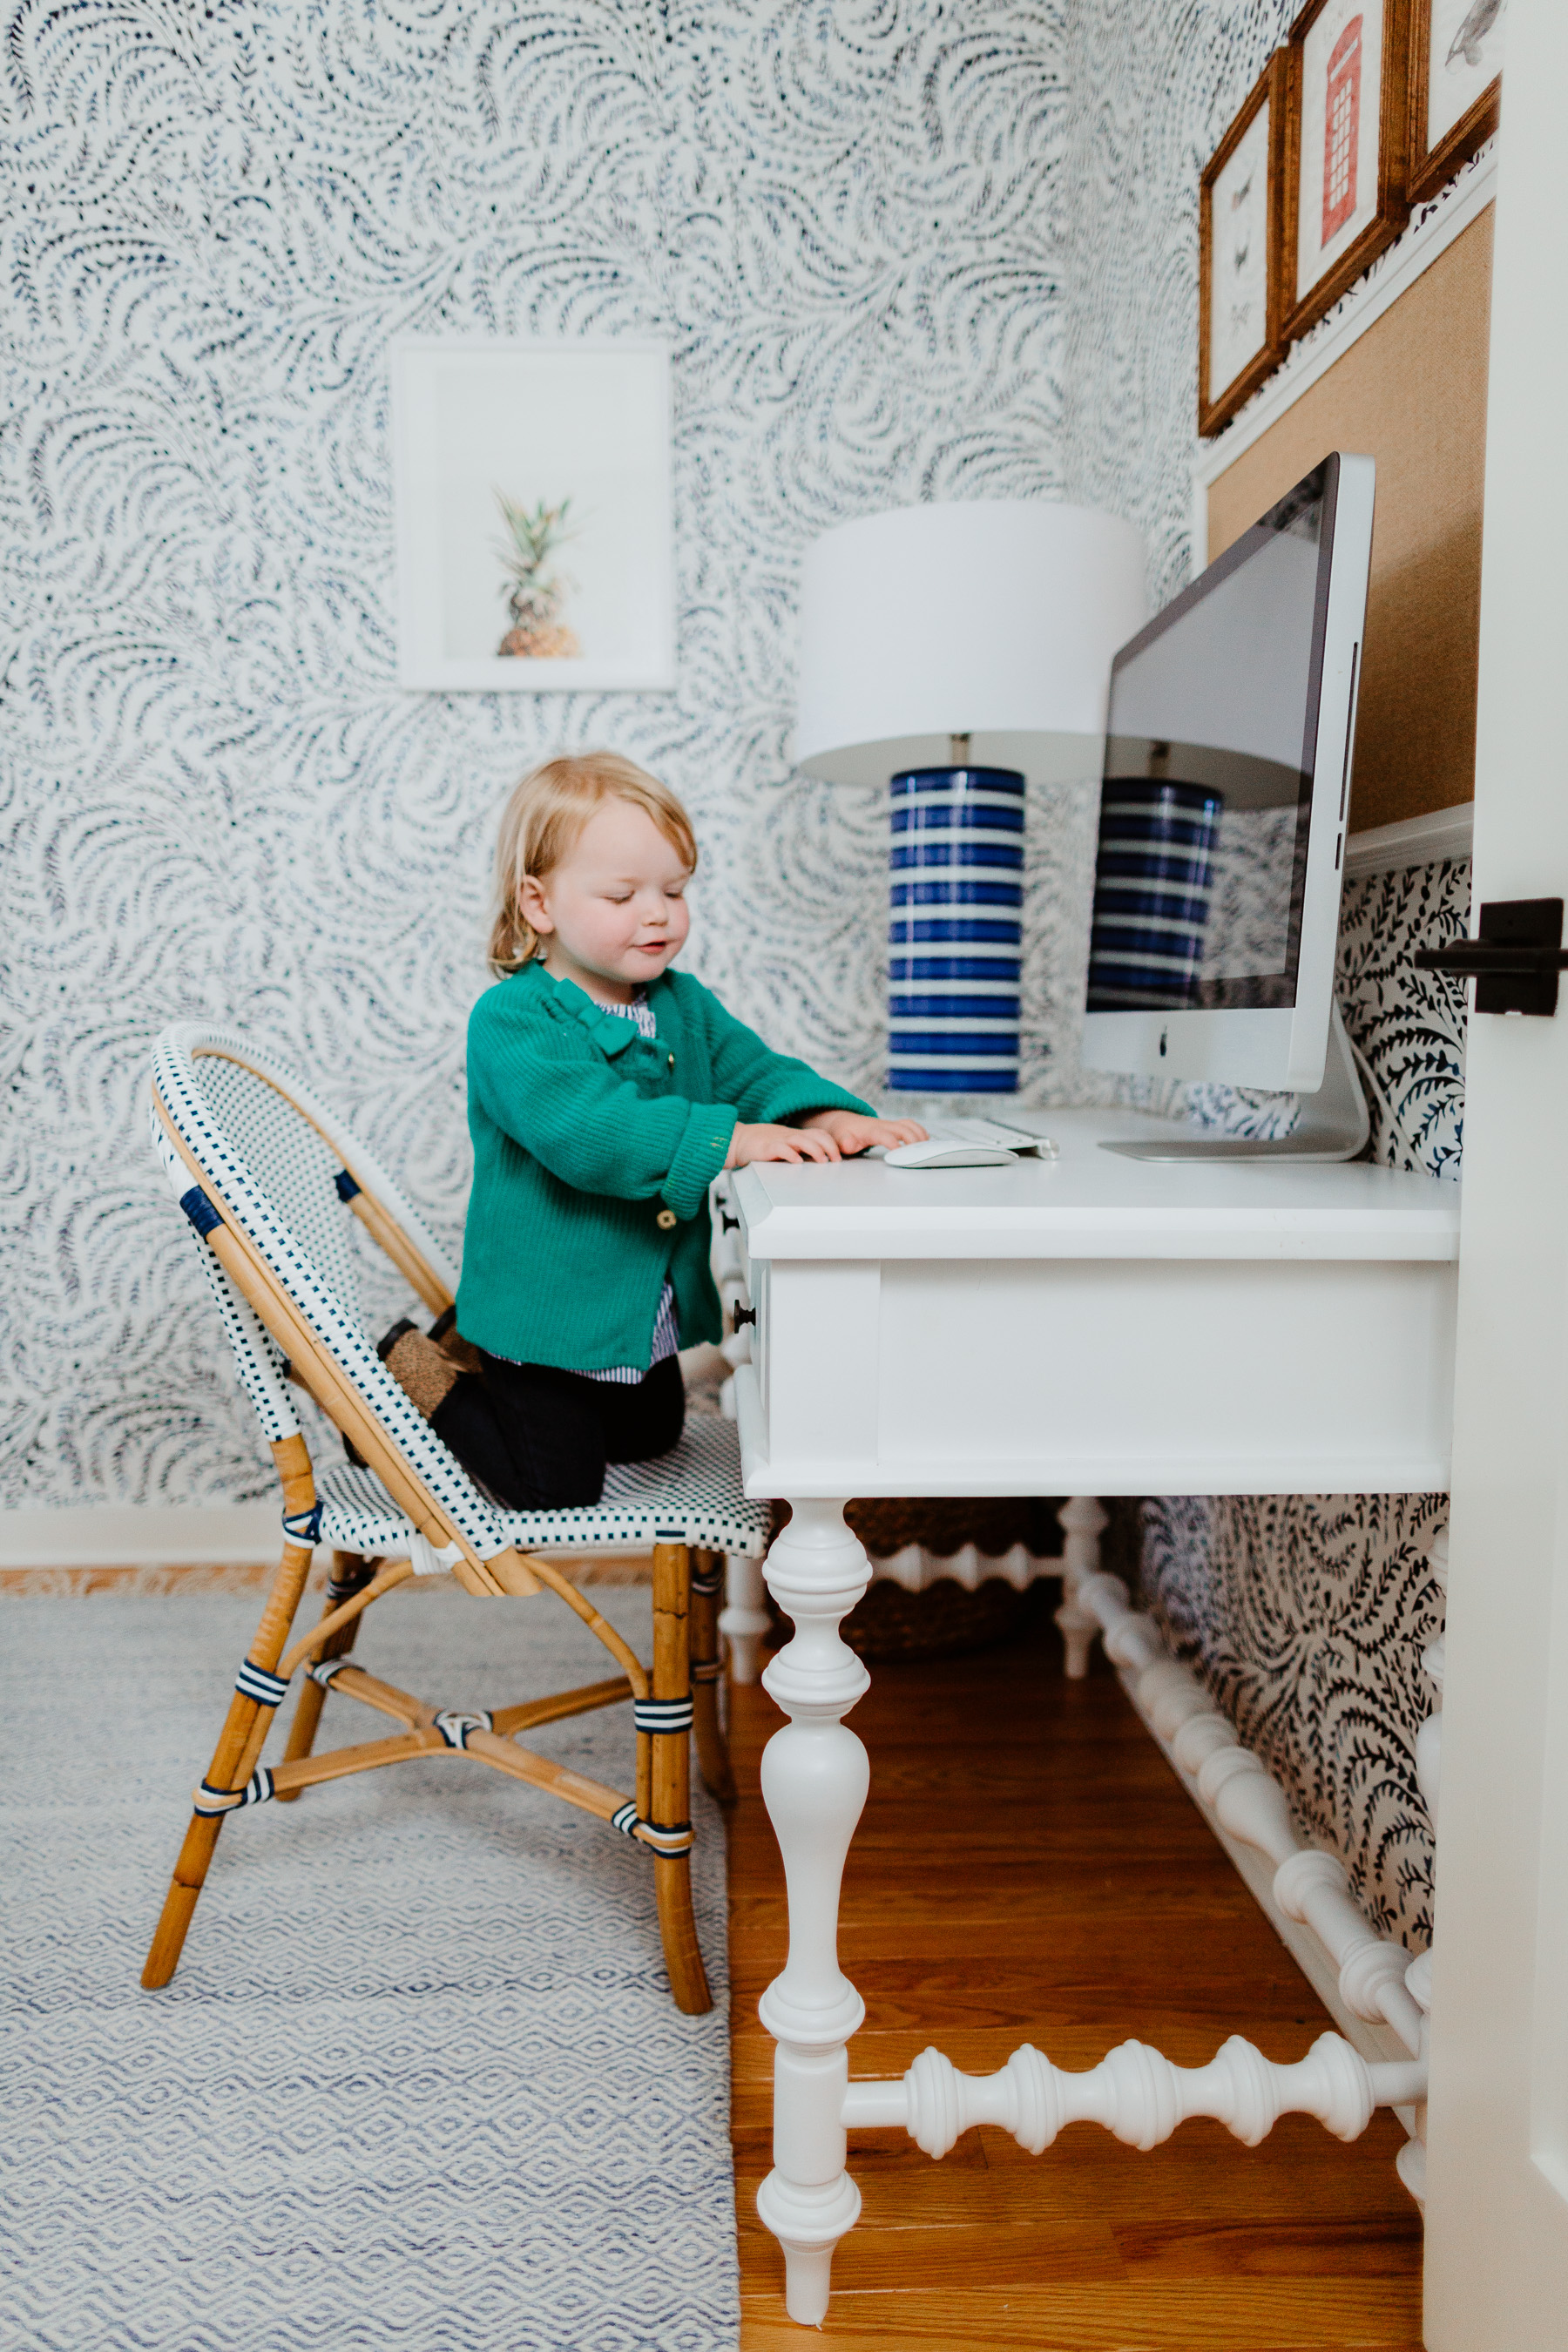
[532, 495]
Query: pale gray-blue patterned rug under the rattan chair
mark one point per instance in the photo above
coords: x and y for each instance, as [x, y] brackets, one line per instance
[417, 2085]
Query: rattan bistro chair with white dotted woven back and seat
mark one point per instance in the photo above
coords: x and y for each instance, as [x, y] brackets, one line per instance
[269, 1182]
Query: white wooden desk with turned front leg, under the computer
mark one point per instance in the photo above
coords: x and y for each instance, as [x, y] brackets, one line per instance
[1087, 1325]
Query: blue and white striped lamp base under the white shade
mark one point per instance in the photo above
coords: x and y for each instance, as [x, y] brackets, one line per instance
[956, 933]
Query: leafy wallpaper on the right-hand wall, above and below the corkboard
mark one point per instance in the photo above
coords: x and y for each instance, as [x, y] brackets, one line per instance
[1304, 1615]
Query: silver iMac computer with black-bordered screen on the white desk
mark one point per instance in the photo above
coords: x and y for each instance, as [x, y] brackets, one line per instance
[1224, 817]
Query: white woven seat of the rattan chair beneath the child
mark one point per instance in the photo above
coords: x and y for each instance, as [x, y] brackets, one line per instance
[690, 1495]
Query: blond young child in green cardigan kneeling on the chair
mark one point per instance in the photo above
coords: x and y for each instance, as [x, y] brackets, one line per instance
[605, 1093]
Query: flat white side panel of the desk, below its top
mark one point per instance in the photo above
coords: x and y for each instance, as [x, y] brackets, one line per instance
[1106, 1377]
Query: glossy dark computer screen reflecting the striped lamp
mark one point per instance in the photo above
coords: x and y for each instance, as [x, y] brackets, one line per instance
[1209, 777]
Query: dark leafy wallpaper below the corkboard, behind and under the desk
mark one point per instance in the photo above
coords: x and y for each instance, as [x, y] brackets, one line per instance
[1308, 1615]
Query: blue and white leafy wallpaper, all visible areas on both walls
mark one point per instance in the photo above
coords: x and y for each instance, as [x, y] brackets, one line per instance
[899, 250]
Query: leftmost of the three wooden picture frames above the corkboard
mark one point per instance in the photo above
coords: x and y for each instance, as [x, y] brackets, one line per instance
[1247, 248]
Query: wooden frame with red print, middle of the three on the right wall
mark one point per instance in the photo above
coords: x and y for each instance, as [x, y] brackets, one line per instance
[1346, 166]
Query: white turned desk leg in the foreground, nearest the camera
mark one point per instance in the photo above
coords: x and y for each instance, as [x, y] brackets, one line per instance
[815, 1779]
